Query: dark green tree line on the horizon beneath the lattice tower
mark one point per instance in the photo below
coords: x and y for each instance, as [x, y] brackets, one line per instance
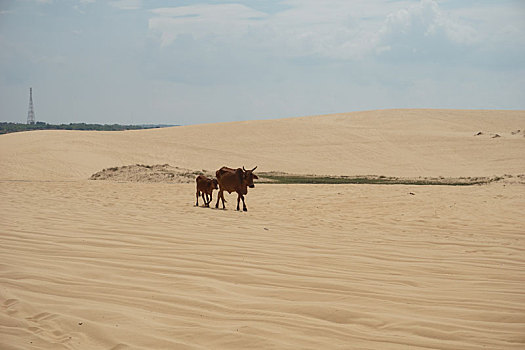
[7, 127]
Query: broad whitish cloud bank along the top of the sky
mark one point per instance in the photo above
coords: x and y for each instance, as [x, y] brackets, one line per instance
[333, 29]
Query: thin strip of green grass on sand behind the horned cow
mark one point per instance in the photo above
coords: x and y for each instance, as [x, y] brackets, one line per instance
[280, 178]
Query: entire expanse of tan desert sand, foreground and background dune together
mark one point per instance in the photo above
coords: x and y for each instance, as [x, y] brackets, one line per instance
[132, 265]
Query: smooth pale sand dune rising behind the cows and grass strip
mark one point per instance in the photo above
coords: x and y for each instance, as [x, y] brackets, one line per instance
[391, 143]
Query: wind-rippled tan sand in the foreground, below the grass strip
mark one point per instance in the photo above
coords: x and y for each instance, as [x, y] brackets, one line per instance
[88, 265]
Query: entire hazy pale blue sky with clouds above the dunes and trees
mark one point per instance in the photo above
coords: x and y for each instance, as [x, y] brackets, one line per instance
[192, 62]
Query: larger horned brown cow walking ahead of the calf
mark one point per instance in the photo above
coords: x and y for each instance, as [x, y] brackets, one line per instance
[235, 180]
